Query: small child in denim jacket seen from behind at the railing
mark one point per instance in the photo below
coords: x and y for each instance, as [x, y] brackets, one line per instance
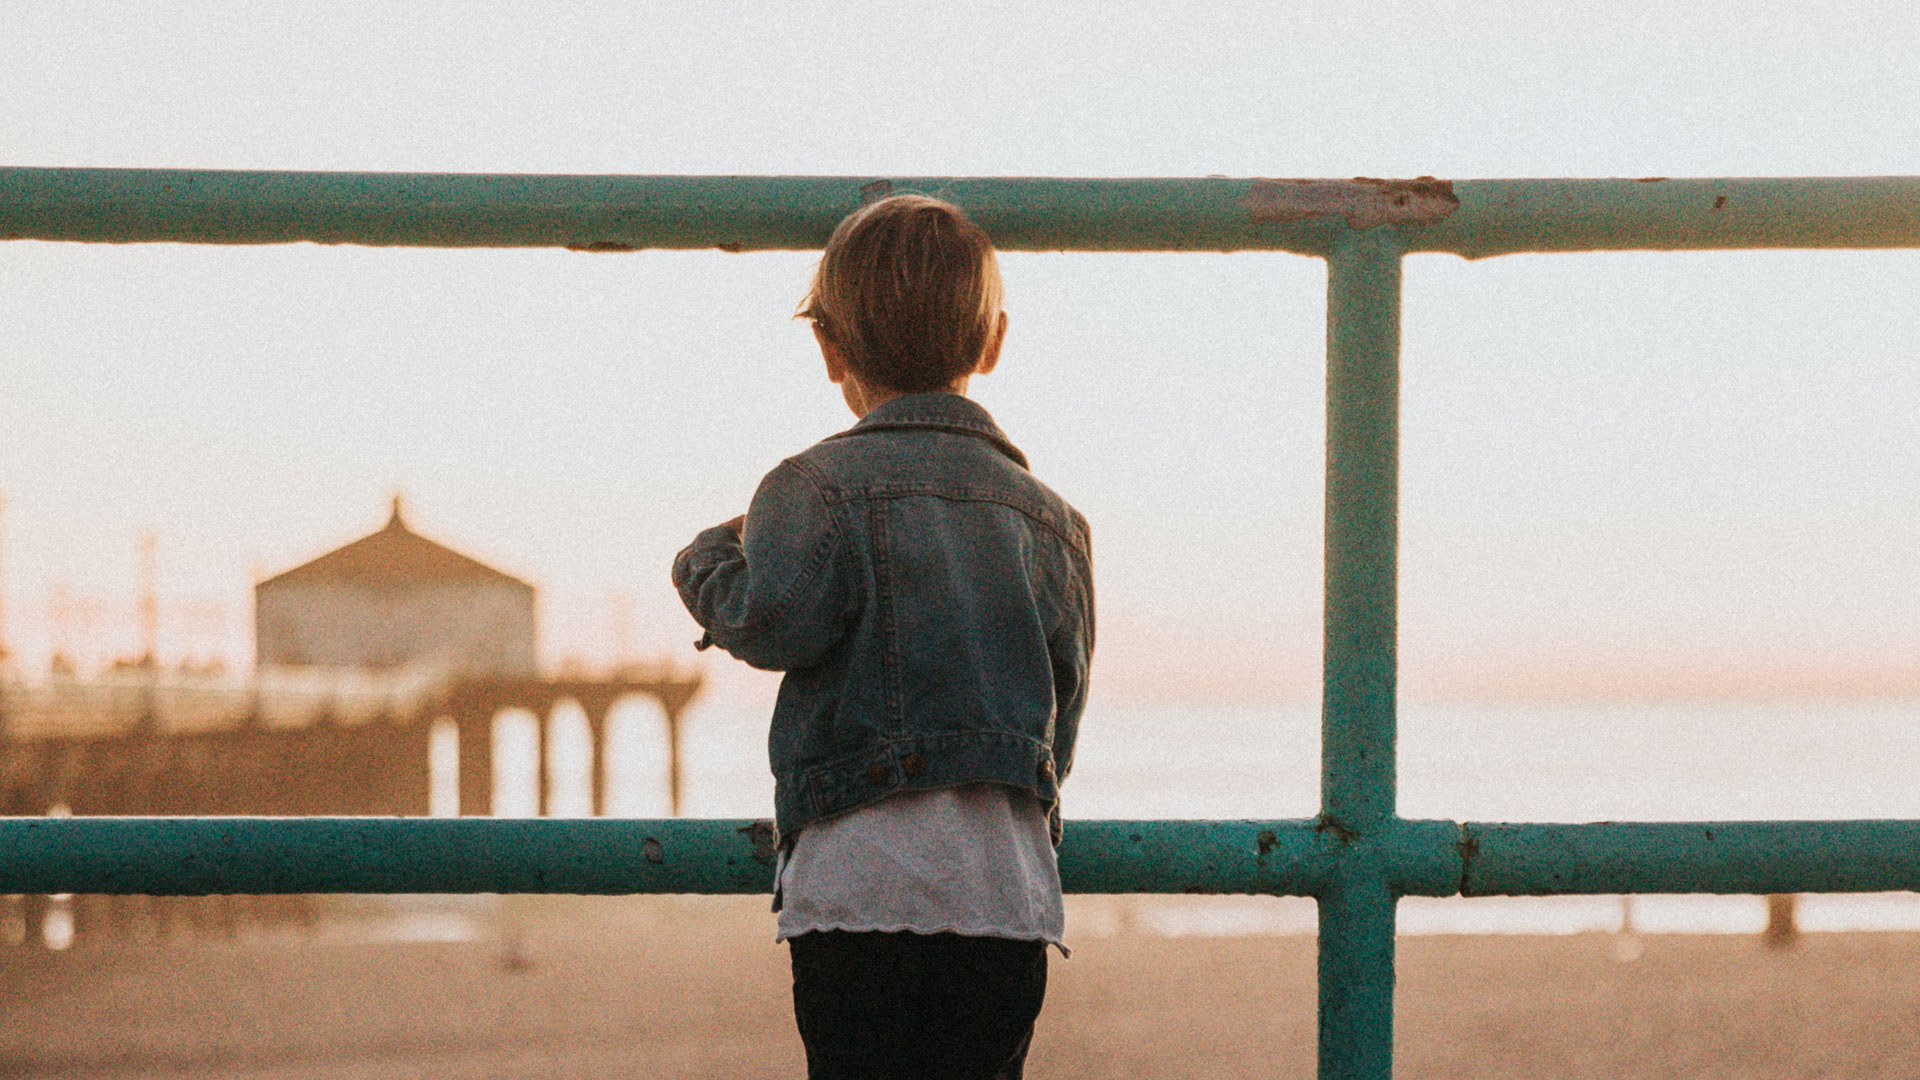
[932, 606]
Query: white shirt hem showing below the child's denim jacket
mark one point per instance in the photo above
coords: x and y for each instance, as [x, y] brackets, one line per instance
[974, 860]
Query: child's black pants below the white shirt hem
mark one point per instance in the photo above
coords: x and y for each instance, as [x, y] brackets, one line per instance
[917, 1006]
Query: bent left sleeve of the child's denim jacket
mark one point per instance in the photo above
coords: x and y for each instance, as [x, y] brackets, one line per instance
[777, 595]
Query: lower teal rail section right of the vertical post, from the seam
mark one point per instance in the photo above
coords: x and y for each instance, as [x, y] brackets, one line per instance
[1716, 858]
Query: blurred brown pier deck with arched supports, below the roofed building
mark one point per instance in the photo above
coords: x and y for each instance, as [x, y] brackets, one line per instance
[291, 745]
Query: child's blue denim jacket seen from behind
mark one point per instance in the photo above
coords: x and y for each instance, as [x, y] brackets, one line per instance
[928, 599]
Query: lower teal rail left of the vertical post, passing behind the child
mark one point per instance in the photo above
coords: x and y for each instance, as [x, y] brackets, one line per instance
[191, 856]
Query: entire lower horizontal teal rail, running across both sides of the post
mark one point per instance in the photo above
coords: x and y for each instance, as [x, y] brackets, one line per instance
[734, 856]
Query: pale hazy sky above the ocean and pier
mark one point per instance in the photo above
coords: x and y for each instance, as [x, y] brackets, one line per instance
[1631, 474]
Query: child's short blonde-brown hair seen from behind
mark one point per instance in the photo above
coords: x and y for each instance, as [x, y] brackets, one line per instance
[909, 291]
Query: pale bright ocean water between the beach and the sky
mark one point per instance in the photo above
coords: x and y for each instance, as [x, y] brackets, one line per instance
[1539, 762]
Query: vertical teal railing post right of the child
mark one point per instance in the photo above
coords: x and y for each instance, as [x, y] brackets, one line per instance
[1356, 912]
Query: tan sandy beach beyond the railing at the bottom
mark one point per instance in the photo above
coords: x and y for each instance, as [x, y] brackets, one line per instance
[692, 987]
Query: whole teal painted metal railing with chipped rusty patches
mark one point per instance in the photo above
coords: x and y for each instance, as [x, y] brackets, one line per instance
[1358, 858]
